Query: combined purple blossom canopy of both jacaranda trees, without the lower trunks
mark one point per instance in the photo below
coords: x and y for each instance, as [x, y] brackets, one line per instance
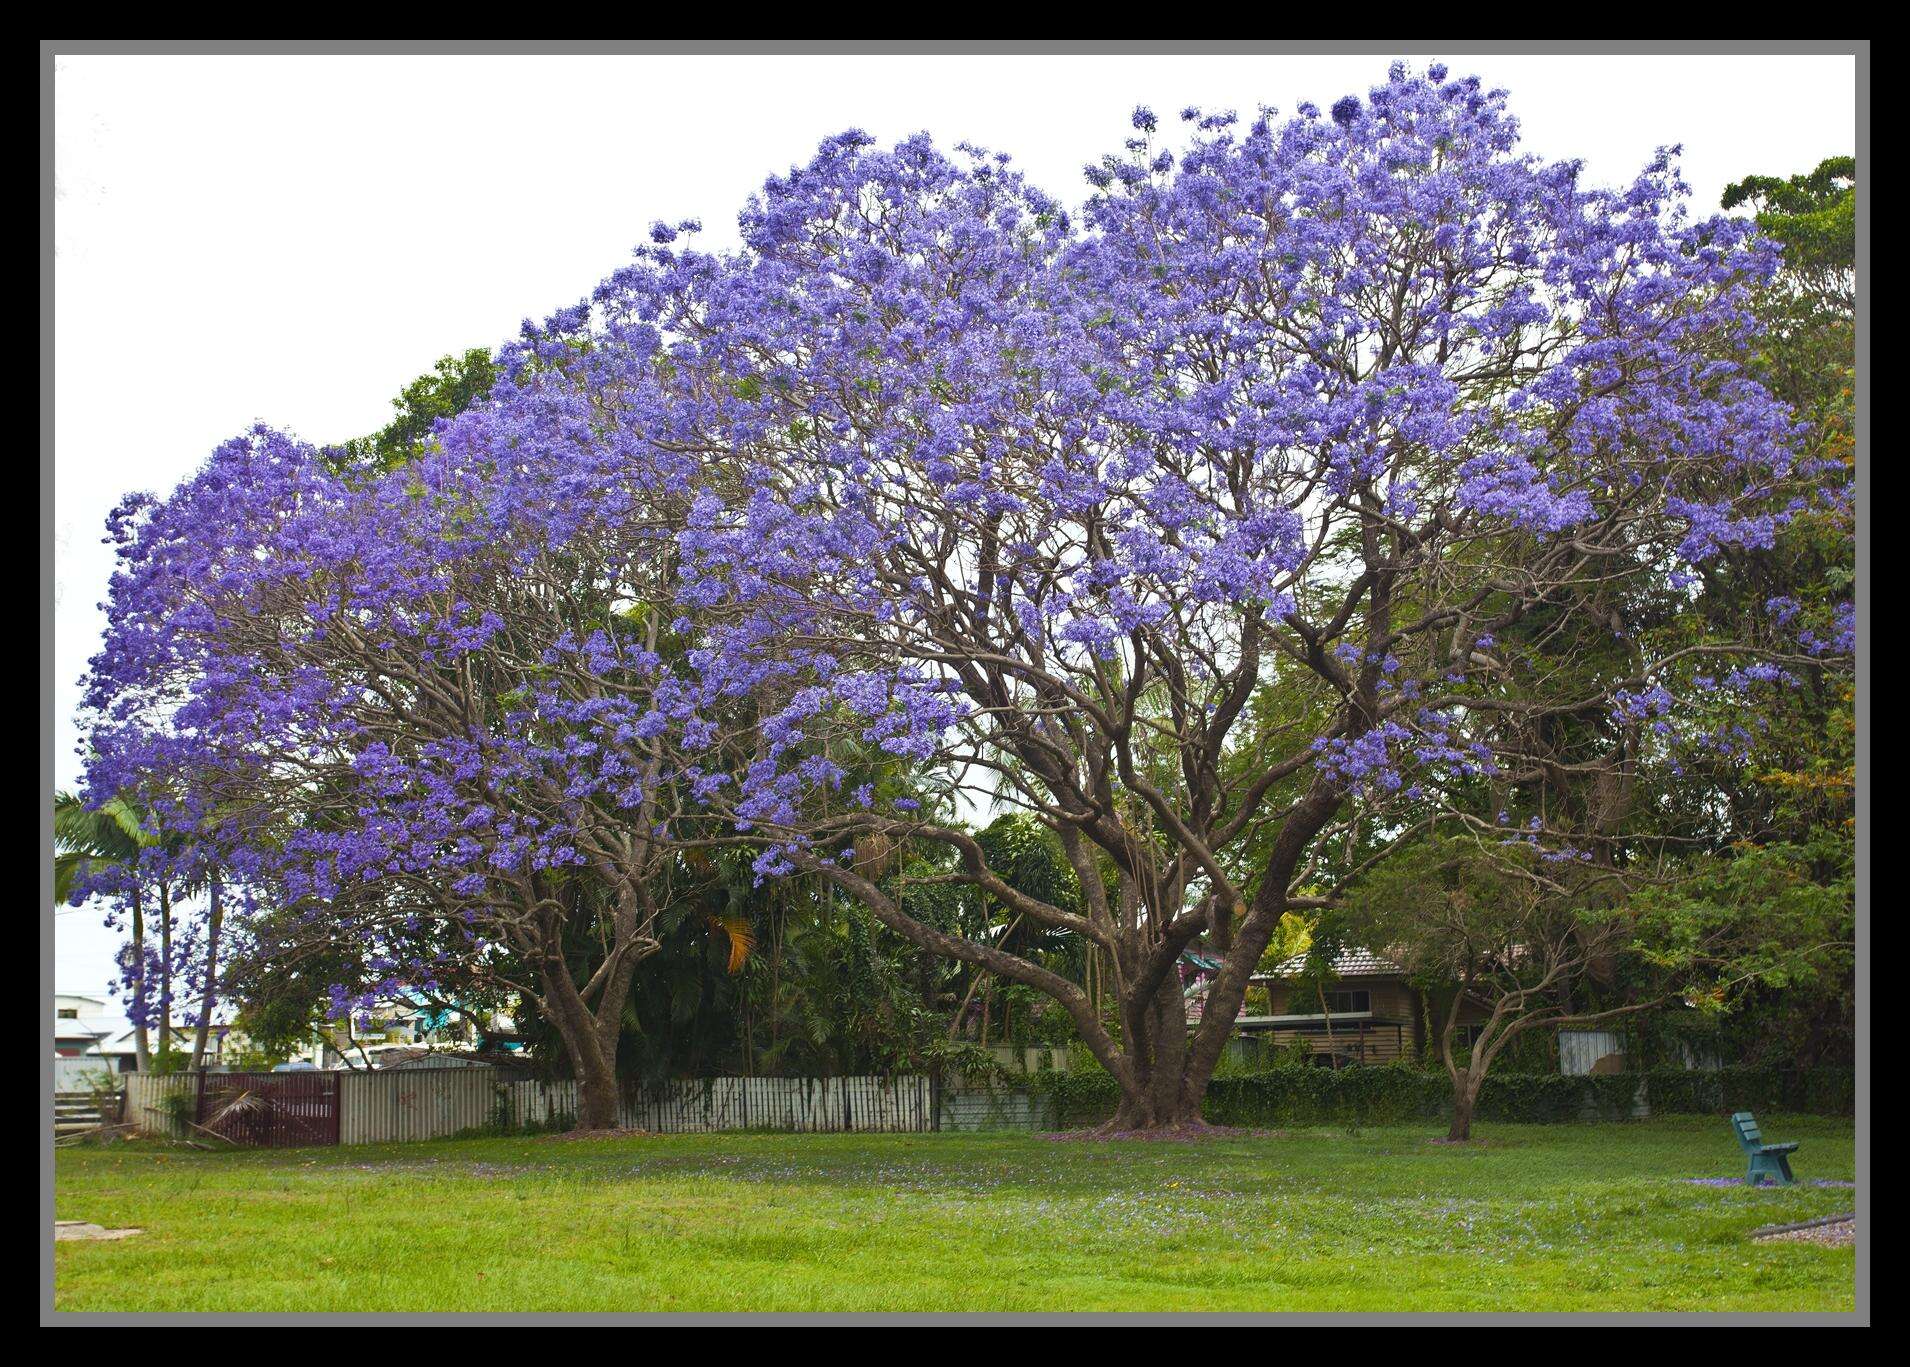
[939, 471]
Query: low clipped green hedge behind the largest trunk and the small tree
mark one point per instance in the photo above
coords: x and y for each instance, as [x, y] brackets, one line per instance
[1399, 1093]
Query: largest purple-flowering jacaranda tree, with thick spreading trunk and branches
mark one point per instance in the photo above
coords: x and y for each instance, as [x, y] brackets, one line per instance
[1326, 406]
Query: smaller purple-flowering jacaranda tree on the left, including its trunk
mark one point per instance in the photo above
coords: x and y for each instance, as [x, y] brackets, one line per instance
[435, 683]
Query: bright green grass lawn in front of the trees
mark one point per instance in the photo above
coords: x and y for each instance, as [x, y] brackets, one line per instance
[1582, 1217]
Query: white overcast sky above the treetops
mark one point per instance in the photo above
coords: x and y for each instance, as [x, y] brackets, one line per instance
[293, 240]
